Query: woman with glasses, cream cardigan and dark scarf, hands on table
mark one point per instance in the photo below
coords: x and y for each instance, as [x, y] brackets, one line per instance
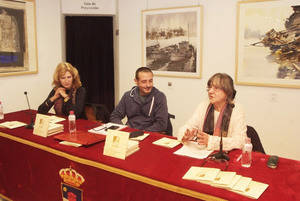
[217, 116]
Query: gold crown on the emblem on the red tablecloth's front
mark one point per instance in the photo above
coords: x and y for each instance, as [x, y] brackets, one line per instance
[70, 176]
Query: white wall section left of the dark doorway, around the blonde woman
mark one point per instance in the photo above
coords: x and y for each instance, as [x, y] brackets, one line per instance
[49, 55]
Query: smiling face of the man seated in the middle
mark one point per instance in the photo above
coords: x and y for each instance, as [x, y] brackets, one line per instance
[144, 82]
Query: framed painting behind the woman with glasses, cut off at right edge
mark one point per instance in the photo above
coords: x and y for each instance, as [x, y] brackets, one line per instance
[268, 44]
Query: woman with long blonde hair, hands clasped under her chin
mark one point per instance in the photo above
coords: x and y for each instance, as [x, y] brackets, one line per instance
[67, 93]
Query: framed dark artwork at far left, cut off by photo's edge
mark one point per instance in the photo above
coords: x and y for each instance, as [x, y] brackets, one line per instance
[18, 50]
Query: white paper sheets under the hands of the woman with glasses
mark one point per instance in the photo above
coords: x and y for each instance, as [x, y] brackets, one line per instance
[192, 150]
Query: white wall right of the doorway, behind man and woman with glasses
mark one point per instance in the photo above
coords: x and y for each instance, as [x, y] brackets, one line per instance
[273, 112]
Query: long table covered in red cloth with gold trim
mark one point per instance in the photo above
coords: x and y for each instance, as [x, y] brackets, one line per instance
[30, 165]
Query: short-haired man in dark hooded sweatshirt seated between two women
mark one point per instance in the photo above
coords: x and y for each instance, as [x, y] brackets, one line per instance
[144, 105]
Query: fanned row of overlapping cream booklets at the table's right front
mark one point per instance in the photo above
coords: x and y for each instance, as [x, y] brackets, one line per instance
[227, 180]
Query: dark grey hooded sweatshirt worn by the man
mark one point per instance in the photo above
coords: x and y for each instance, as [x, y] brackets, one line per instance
[149, 115]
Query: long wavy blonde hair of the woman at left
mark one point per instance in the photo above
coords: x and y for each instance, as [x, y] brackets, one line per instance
[61, 69]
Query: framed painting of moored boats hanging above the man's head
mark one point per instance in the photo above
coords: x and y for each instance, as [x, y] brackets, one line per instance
[172, 41]
